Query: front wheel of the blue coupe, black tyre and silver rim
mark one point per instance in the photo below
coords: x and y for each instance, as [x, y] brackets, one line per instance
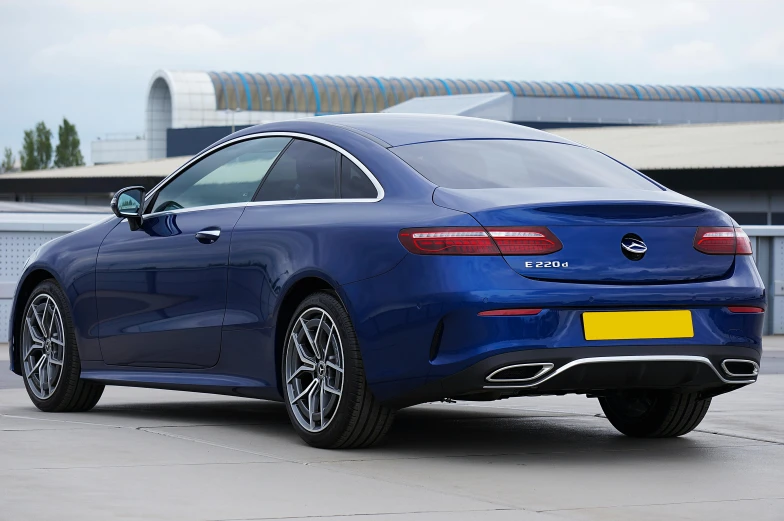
[59, 387]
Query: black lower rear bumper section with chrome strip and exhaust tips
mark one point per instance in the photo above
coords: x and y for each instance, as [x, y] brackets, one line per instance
[596, 370]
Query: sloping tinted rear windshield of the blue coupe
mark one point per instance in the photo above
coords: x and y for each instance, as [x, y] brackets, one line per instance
[517, 164]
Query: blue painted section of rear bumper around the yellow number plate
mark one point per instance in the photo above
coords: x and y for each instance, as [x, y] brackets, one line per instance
[419, 323]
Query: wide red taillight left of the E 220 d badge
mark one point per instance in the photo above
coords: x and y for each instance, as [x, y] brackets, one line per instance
[531, 240]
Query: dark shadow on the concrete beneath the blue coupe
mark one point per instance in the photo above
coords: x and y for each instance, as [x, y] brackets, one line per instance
[425, 431]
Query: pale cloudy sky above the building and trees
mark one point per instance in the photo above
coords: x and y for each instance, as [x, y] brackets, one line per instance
[91, 60]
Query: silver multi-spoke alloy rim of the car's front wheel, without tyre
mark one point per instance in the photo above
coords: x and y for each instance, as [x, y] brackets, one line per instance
[43, 346]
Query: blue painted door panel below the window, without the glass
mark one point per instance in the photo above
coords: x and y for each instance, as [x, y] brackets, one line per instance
[161, 294]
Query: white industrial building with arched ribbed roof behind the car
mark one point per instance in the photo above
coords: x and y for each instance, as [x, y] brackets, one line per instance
[188, 110]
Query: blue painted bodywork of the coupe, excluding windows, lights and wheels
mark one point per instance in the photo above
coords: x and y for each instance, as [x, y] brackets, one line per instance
[172, 312]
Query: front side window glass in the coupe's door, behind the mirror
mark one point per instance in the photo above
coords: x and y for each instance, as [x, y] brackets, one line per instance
[230, 175]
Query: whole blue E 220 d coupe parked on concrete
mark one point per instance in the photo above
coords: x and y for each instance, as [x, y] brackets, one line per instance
[354, 265]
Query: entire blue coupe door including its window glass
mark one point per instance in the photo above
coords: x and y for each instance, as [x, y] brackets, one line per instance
[161, 289]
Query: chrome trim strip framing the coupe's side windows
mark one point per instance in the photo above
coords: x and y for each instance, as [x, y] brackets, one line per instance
[294, 135]
